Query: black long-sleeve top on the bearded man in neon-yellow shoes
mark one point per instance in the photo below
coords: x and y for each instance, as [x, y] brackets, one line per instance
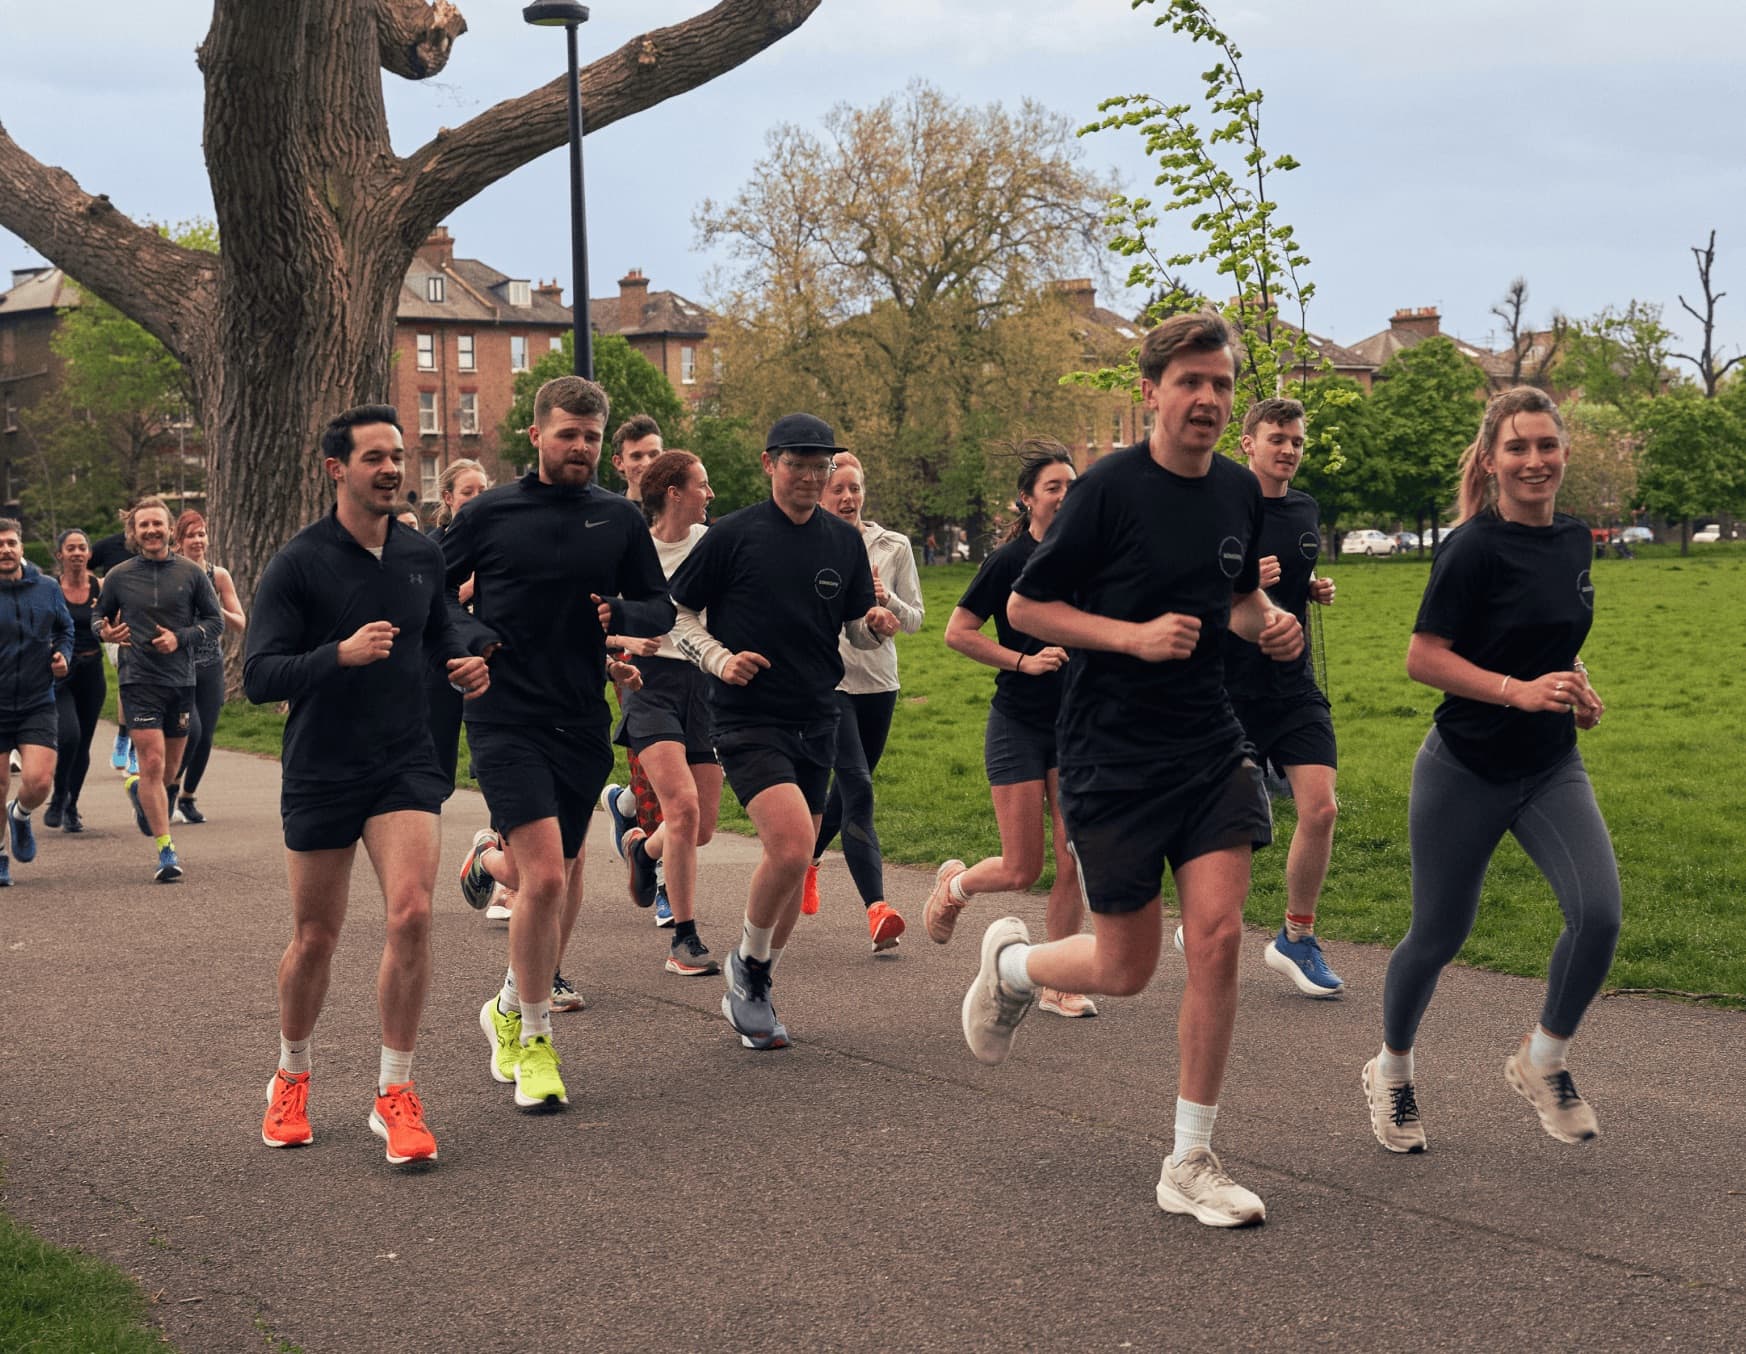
[537, 553]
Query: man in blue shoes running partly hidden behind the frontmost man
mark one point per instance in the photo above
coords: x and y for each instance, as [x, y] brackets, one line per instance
[1282, 710]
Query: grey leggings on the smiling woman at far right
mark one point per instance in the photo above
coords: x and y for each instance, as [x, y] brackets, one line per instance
[1457, 822]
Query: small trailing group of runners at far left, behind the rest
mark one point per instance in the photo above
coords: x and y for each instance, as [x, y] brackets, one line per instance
[153, 598]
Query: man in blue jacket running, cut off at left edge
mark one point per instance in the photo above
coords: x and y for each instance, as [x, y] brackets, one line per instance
[36, 647]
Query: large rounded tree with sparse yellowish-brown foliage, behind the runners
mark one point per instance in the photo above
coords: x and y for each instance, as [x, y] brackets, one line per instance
[895, 280]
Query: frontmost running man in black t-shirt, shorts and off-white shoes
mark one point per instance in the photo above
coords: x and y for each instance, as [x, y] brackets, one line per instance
[1151, 558]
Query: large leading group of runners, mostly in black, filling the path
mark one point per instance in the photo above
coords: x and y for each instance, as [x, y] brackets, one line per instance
[1150, 640]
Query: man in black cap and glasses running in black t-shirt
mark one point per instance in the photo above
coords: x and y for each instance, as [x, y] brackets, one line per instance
[780, 581]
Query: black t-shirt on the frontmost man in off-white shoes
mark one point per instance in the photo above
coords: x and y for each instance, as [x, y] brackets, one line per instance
[1134, 541]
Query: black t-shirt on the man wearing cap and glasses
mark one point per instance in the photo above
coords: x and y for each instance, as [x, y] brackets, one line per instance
[783, 590]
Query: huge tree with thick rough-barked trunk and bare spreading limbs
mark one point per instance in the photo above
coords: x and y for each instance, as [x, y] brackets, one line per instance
[322, 214]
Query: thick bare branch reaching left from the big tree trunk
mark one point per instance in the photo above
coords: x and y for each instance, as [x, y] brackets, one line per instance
[134, 268]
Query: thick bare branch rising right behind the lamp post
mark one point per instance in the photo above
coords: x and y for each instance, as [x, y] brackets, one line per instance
[647, 71]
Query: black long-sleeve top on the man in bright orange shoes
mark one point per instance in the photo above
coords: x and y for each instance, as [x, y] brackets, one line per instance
[348, 722]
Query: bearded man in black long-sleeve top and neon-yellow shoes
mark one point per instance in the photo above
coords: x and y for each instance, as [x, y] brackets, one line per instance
[556, 563]
